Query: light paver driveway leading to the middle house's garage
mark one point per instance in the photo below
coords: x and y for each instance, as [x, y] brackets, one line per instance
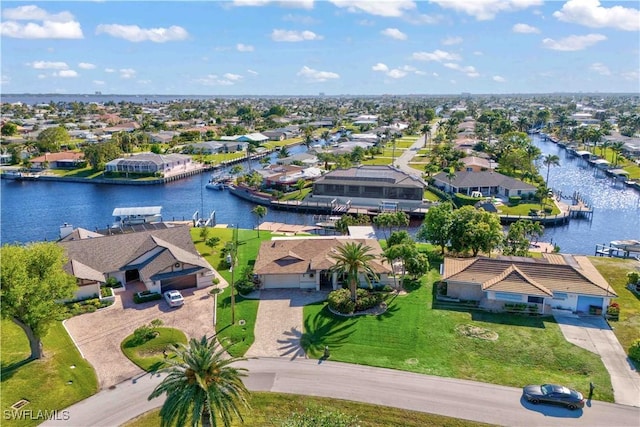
[279, 322]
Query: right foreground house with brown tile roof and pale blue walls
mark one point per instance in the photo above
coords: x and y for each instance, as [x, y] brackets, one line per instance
[554, 282]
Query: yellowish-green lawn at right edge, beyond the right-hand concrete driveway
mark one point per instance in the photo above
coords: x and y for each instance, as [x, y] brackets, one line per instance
[627, 329]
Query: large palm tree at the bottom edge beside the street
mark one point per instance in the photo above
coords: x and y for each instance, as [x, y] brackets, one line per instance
[201, 385]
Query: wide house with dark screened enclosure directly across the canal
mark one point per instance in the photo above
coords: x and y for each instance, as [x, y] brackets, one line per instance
[372, 182]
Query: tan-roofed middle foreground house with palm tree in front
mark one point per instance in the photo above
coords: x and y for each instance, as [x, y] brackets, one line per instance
[307, 263]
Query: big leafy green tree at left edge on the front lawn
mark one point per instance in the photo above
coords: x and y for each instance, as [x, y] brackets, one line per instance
[33, 283]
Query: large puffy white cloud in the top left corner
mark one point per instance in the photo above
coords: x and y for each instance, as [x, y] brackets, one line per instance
[47, 26]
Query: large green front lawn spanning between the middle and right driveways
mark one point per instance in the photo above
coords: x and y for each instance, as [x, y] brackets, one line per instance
[412, 336]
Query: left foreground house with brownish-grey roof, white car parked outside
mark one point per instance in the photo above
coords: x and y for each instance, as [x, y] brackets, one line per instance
[161, 259]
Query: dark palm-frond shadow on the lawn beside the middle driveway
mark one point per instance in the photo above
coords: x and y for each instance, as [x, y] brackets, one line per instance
[325, 330]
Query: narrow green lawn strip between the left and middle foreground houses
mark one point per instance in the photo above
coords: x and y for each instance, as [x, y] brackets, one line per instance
[235, 338]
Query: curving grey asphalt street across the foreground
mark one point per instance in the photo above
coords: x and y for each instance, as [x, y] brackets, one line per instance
[445, 396]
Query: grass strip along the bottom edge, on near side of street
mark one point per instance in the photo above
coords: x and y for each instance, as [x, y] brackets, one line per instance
[270, 409]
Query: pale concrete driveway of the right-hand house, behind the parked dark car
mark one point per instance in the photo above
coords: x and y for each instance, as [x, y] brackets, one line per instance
[594, 334]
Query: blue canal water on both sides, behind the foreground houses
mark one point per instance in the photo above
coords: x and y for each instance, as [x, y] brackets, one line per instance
[34, 211]
